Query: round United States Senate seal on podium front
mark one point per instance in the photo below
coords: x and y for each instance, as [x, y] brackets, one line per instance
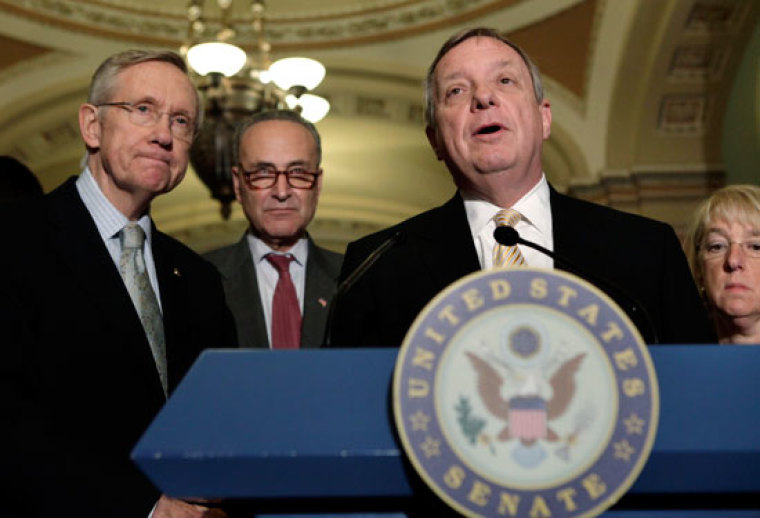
[525, 392]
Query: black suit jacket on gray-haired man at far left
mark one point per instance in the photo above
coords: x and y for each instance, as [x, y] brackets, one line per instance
[78, 384]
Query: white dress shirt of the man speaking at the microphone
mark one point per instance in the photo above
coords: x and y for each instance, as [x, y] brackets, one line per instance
[535, 225]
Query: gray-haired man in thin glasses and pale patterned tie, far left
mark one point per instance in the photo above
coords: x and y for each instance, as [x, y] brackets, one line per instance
[101, 313]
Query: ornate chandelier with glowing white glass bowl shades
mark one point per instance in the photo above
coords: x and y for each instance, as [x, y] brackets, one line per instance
[235, 84]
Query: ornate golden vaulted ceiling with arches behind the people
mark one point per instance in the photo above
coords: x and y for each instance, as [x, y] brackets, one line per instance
[638, 90]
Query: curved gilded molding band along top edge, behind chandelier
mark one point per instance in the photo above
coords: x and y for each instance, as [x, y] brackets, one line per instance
[283, 31]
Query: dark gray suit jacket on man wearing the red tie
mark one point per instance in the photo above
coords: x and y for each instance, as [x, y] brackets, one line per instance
[241, 289]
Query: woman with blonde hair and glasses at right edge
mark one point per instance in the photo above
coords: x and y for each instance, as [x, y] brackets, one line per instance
[723, 248]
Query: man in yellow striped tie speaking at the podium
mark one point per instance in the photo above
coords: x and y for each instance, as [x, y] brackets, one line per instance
[486, 120]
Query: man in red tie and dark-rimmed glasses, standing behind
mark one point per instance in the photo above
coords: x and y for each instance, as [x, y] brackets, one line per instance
[277, 281]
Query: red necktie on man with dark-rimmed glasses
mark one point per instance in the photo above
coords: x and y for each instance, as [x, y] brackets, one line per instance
[286, 312]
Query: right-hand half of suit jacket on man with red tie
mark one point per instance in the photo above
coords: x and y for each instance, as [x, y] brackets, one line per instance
[319, 289]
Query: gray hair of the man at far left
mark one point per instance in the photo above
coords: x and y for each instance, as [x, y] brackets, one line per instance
[104, 80]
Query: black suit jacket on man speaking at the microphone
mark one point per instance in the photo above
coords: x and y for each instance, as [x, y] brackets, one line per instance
[640, 256]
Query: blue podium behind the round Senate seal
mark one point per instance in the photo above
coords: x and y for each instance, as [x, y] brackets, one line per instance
[317, 425]
